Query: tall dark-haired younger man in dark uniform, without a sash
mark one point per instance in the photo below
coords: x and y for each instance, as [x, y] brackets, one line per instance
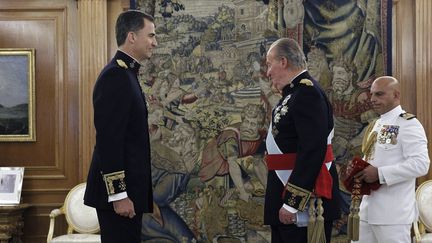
[119, 181]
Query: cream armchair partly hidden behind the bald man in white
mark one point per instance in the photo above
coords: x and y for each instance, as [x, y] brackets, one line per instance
[423, 227]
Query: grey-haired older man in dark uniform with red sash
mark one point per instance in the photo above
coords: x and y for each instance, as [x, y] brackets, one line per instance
[299, 150]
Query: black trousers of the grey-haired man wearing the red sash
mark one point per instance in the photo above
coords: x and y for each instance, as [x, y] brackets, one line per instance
[294, 234]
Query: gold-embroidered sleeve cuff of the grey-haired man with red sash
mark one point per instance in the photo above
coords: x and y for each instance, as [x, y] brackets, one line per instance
[296, 197]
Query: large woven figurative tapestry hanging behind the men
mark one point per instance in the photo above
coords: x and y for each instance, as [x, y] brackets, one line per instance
[210, 102]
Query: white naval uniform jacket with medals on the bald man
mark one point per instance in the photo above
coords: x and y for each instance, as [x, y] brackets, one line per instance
[401, 156]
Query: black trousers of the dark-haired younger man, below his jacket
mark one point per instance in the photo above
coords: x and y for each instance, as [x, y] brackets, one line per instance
[119, 229]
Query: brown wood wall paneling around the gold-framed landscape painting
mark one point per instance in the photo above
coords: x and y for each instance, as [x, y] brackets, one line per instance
[51, 163]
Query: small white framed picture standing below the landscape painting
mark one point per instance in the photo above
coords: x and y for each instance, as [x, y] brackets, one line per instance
[11, 179]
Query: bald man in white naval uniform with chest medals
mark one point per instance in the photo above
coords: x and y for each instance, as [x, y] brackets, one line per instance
[398, 157]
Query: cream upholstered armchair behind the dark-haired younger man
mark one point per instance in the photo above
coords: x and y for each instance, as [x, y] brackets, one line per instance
[79, 217]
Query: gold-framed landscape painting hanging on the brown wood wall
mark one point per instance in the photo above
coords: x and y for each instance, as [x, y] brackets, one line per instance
[17, 95]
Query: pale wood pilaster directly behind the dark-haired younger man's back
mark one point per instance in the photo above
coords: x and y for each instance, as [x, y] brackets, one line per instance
[93, 57]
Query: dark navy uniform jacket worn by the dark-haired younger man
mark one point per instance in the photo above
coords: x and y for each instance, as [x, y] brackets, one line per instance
[121, 157]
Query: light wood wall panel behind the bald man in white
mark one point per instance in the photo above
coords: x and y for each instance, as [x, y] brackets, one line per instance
[412, 61]
